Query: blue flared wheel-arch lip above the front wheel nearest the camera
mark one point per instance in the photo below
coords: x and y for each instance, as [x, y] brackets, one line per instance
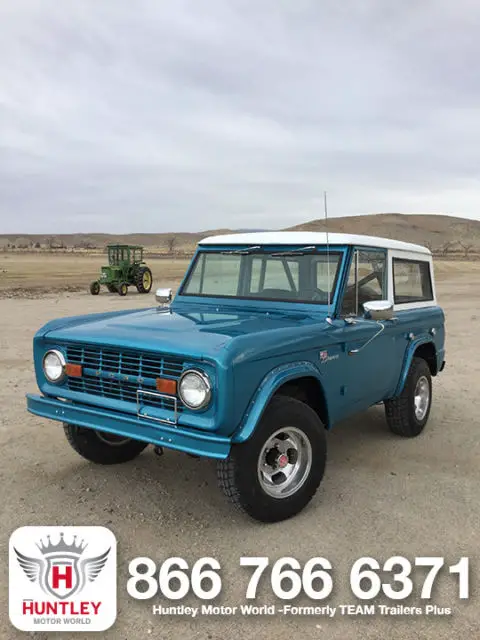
[267, 388]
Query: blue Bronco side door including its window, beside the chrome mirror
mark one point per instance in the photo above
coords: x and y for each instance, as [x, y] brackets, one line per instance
[368, 368]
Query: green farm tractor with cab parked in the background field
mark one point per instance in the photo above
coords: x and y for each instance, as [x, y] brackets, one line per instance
[125, 267]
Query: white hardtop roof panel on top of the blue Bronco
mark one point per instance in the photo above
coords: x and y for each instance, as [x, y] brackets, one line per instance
[305, 238]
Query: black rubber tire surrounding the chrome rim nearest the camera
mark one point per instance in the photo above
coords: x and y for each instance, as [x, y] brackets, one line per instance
[239, 475]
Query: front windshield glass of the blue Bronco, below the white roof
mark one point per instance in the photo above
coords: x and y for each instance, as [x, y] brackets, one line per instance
[295, 275]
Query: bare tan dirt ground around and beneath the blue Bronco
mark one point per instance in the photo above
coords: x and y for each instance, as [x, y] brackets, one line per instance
[381, 496]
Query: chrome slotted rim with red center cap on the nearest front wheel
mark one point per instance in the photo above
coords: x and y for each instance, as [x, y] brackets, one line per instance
[284, 462]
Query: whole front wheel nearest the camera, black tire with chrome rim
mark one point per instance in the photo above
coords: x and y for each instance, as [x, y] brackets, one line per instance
[273, 475]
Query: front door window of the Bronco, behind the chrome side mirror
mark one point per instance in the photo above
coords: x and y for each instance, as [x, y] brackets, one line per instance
[366, 281]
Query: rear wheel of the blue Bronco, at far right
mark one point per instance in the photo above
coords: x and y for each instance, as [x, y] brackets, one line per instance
[407, 415]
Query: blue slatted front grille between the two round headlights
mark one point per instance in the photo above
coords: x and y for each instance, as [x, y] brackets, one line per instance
[118, 374]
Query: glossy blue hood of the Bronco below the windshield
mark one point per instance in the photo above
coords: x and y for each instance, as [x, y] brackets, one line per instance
[212, 333]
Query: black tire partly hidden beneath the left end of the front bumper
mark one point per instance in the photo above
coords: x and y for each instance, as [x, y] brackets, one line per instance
[101, 447]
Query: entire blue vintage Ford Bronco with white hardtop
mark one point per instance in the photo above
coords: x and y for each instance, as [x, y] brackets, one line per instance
[271, 339]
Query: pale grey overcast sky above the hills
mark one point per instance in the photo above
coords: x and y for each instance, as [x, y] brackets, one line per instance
[168, 115]
